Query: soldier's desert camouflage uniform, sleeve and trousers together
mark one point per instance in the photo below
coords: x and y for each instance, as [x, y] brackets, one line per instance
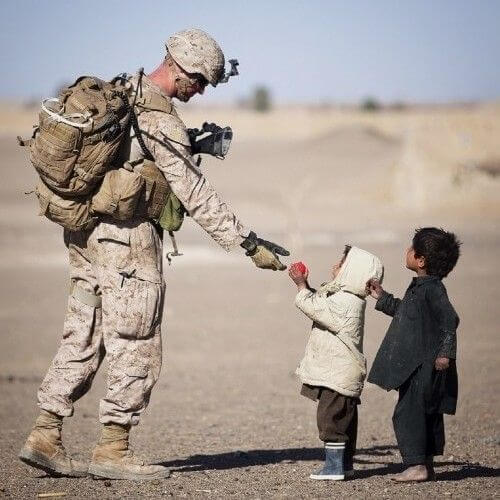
[121, 262]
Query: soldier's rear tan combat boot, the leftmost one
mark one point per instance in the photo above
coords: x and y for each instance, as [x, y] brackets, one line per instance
[44, 449]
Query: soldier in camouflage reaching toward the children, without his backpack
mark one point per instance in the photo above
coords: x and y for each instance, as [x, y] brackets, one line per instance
[117, 287]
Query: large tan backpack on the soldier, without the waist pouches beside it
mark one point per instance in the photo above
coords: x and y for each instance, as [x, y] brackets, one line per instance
[73, 146]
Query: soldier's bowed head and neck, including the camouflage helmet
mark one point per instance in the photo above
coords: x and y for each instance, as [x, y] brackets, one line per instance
[193, 60]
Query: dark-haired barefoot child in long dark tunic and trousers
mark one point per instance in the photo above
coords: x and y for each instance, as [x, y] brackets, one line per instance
[417, 355]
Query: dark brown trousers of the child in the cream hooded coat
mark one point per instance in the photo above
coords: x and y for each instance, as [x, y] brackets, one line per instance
[337, 418]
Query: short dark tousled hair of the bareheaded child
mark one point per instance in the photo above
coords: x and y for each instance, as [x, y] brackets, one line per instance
[440, 249]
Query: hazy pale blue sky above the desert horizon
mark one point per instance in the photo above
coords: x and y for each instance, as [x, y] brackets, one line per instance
[314, 50]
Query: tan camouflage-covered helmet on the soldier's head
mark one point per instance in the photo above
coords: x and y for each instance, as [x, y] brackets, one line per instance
[197, 52]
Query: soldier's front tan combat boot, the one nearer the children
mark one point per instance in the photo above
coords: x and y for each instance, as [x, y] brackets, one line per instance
[113, 458]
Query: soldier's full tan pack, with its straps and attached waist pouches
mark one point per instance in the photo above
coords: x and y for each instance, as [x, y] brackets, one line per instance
[74, 149]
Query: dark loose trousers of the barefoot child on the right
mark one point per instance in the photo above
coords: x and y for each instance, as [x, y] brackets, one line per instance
[419, 434]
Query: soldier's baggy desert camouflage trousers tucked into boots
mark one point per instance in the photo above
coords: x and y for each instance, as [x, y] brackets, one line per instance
[120, 266]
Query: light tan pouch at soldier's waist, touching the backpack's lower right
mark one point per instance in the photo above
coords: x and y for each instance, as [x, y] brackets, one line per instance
[118, 194]
